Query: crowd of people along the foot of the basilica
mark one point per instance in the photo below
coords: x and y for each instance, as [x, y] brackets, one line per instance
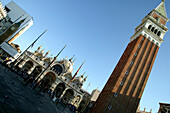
[29, 80]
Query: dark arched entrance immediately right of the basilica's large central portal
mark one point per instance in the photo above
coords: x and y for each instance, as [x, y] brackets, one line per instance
[59, 89]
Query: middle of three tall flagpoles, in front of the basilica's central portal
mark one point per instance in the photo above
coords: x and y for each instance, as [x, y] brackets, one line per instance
[36, 80]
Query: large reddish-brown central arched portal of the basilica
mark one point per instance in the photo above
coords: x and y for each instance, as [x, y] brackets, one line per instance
[48, 79]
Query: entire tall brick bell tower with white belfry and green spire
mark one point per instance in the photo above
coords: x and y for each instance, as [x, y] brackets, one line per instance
[124, 88]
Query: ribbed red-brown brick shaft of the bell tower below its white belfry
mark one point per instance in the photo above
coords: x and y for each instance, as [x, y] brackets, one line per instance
[130, 92]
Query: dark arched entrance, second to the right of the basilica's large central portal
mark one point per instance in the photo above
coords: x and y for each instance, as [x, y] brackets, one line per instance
[68, 96]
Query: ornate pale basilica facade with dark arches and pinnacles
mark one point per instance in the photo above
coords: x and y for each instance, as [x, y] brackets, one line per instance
[58, 77]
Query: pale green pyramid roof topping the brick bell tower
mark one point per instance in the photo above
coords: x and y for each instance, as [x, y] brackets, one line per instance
[161, 9]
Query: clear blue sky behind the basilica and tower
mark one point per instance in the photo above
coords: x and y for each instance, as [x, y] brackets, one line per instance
[97, 31]
